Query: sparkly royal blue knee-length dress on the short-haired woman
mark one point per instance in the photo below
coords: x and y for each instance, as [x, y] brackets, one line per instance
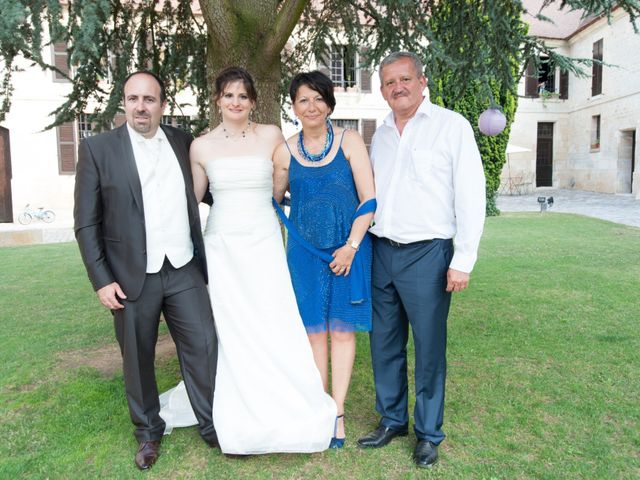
[323, 203]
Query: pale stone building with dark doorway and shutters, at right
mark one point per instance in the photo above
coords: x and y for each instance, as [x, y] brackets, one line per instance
[578, 133]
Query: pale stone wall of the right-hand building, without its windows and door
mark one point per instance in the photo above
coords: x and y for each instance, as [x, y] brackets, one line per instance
[575, 164]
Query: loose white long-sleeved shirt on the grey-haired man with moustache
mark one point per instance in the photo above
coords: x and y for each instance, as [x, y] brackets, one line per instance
[430, 182]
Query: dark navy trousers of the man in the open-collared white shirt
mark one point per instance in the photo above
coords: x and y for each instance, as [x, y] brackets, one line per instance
[409, 289]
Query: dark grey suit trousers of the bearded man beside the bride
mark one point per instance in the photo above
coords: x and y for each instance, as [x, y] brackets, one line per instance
[182, 296]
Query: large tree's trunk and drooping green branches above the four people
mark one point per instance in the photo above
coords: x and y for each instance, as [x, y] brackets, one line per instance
[107, 38]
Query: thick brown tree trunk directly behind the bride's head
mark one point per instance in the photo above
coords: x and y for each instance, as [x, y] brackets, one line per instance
[250, 34]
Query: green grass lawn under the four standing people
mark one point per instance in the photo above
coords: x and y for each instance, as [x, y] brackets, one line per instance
[543, 380]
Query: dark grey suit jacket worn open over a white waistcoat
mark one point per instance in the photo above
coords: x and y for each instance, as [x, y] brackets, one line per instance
[109, 214]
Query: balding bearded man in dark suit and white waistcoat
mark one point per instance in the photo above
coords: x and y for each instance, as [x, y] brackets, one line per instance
[138, 228]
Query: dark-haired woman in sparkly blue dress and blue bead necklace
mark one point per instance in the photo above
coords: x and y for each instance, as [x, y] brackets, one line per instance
[328, 172]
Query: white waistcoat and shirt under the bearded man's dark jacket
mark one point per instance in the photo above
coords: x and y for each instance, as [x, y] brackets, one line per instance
[165, 201]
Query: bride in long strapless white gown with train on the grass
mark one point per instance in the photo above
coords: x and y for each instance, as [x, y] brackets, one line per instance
[269, 395]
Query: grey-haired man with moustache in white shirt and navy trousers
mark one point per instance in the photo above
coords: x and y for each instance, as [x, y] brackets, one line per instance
[430, 189]
